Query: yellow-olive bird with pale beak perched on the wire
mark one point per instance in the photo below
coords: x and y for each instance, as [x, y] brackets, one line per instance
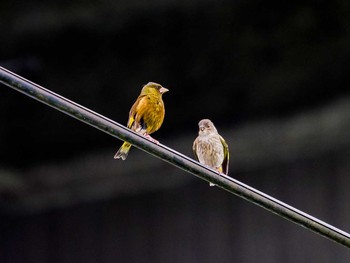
[146, 115]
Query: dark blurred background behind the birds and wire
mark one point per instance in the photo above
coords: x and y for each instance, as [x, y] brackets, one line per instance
[274, 78]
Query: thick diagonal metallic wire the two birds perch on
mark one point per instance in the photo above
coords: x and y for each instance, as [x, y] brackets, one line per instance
[173, 157]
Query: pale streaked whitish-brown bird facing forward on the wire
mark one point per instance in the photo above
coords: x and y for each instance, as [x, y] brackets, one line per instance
[210, 148]
